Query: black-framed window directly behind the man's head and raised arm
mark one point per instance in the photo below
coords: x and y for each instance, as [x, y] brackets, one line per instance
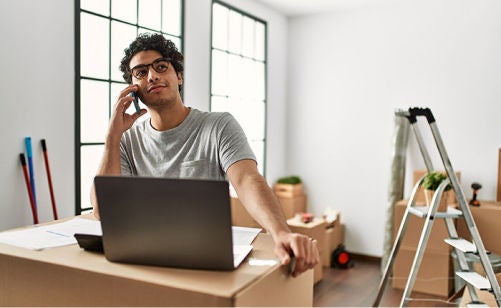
[104, 28]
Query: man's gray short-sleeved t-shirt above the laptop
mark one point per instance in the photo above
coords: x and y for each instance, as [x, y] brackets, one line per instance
[203, 146]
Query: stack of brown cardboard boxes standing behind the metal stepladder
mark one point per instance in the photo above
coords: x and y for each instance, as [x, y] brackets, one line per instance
[435, 273]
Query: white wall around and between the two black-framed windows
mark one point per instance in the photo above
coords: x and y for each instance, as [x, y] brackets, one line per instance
[37, 85]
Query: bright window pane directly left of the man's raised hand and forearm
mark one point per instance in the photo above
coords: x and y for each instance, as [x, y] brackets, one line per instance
[94, 112]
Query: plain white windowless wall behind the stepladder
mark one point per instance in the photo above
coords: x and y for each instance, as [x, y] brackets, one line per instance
[349, 70]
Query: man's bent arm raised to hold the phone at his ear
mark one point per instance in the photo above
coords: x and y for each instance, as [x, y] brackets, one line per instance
[120, 121]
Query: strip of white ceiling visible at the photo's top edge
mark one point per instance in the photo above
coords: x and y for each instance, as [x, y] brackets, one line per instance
[305, 7]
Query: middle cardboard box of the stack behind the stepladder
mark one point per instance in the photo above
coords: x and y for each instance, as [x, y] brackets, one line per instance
[415, 226]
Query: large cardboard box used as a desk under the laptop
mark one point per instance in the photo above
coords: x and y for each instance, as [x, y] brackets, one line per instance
[69, 276]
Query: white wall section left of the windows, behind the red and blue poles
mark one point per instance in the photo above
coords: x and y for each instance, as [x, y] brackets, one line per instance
[37, 86]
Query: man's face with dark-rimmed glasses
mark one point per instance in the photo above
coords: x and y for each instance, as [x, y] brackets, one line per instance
[156, 77]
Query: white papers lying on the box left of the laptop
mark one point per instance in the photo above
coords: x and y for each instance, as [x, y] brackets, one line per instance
[49, 236]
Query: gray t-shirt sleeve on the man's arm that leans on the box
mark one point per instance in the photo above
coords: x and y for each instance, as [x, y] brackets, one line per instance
[233, 143]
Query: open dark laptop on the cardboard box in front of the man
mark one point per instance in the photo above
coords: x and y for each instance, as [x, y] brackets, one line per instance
[183, 223]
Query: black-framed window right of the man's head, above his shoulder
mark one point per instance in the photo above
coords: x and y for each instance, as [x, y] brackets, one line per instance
[238, 66]
